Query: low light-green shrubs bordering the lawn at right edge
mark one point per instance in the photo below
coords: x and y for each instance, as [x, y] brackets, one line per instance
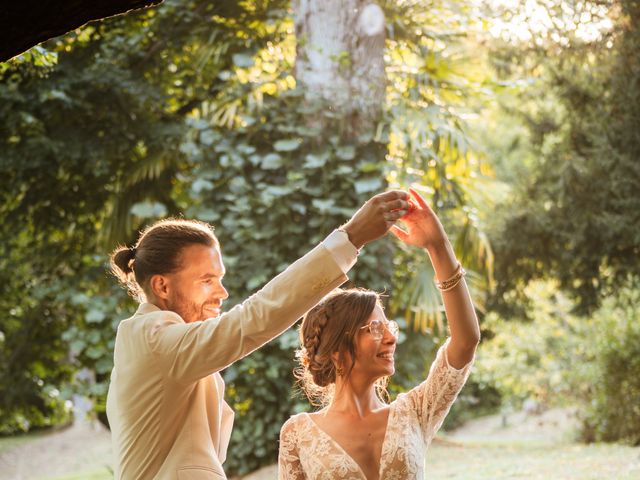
[558, 358]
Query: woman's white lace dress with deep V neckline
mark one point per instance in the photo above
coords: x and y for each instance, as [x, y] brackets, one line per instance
[307, 452]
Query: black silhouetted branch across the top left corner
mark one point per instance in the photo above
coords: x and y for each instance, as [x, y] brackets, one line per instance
[25, 23]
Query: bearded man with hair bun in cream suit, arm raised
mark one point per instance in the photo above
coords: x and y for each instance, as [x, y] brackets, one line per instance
[165, 403]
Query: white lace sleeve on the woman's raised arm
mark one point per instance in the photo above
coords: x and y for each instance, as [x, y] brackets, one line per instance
[432, 399]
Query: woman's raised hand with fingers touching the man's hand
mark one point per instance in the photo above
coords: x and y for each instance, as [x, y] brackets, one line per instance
[423, 228]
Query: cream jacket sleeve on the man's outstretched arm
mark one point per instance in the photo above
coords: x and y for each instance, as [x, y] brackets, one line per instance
[194, 350]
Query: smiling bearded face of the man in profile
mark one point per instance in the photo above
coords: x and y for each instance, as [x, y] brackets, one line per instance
[196, 291]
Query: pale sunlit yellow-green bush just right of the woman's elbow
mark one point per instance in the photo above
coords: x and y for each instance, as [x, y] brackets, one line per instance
[532, 357]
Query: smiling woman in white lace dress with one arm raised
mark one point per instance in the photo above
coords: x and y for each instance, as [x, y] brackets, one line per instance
[346, 356]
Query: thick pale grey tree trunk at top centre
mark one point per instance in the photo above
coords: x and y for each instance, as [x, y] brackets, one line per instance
[340, 57]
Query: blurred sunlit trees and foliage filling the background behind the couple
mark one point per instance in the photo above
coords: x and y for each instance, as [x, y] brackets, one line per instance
[519, 121]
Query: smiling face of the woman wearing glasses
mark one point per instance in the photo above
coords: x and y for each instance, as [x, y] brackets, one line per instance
[375, 347]
